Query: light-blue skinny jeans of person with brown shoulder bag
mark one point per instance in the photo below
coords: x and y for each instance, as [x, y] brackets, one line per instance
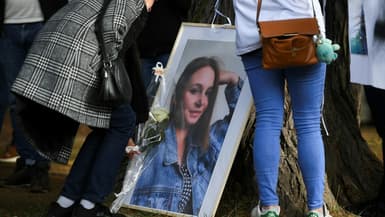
[306, 88]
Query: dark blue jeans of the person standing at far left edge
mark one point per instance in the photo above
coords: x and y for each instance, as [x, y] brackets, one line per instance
[15, 41]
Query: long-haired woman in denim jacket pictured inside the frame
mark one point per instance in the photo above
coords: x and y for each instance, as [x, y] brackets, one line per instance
[176, 172]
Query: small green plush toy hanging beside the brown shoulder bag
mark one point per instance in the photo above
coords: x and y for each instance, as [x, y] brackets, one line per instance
[326, 50]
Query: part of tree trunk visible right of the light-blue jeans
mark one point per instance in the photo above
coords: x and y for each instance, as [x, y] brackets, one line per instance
[354, 173]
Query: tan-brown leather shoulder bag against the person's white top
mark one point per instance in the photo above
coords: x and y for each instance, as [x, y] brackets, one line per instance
[288, 43]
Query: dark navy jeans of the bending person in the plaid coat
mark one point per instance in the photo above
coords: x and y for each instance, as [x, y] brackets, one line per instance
[97, 164]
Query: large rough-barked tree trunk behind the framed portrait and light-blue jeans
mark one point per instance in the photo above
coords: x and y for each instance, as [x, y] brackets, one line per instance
[353, 172]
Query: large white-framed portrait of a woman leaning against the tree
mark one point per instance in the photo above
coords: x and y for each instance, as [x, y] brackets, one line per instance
[189, 181]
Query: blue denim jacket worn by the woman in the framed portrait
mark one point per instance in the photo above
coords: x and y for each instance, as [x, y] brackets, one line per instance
[160, 183]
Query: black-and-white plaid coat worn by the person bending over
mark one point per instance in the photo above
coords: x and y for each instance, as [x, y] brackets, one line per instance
[60, 72]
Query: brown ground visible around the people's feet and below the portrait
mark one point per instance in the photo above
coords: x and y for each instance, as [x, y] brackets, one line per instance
[19, 202]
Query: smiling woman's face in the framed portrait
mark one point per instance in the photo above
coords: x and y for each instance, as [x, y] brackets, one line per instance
[196, 94]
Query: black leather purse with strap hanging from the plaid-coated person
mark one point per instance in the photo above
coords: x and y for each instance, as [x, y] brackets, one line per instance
[115, 87]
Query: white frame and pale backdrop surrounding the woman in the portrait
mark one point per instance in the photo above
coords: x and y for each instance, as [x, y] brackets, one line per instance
[193, 41]
